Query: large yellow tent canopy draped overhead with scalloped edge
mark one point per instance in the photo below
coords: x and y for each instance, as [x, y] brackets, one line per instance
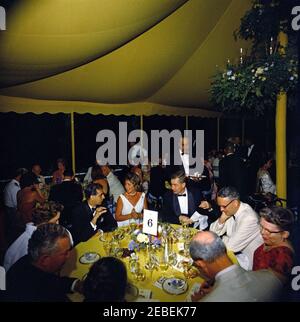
[138, 57]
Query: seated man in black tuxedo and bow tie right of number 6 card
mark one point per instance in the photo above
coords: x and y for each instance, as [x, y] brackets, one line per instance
[181, 202]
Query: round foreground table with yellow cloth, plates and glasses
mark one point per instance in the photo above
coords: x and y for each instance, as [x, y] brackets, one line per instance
[163, 283]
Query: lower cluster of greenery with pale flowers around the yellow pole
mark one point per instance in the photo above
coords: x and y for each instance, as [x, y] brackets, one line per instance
[253, 85]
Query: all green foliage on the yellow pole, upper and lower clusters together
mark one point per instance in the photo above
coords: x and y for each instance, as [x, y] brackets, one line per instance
[252, 86]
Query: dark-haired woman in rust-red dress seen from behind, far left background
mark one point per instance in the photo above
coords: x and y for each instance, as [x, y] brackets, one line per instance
[28, 196]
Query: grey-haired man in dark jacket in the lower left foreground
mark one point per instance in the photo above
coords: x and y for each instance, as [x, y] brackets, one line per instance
[35, 277]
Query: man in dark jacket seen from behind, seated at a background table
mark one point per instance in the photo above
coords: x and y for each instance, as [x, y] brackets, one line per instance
[69, 194]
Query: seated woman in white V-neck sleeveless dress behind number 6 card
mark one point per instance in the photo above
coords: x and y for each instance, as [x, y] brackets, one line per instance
[131, 204]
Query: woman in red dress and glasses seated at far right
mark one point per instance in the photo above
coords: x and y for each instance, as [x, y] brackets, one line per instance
[276, 252]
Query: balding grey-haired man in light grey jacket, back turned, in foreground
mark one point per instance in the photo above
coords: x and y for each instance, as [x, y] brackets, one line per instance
[231, 283]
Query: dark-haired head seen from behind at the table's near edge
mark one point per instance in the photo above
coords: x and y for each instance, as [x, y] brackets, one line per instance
[106, 281]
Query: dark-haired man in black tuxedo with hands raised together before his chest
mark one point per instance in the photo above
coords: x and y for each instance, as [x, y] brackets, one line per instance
[90, 216]
